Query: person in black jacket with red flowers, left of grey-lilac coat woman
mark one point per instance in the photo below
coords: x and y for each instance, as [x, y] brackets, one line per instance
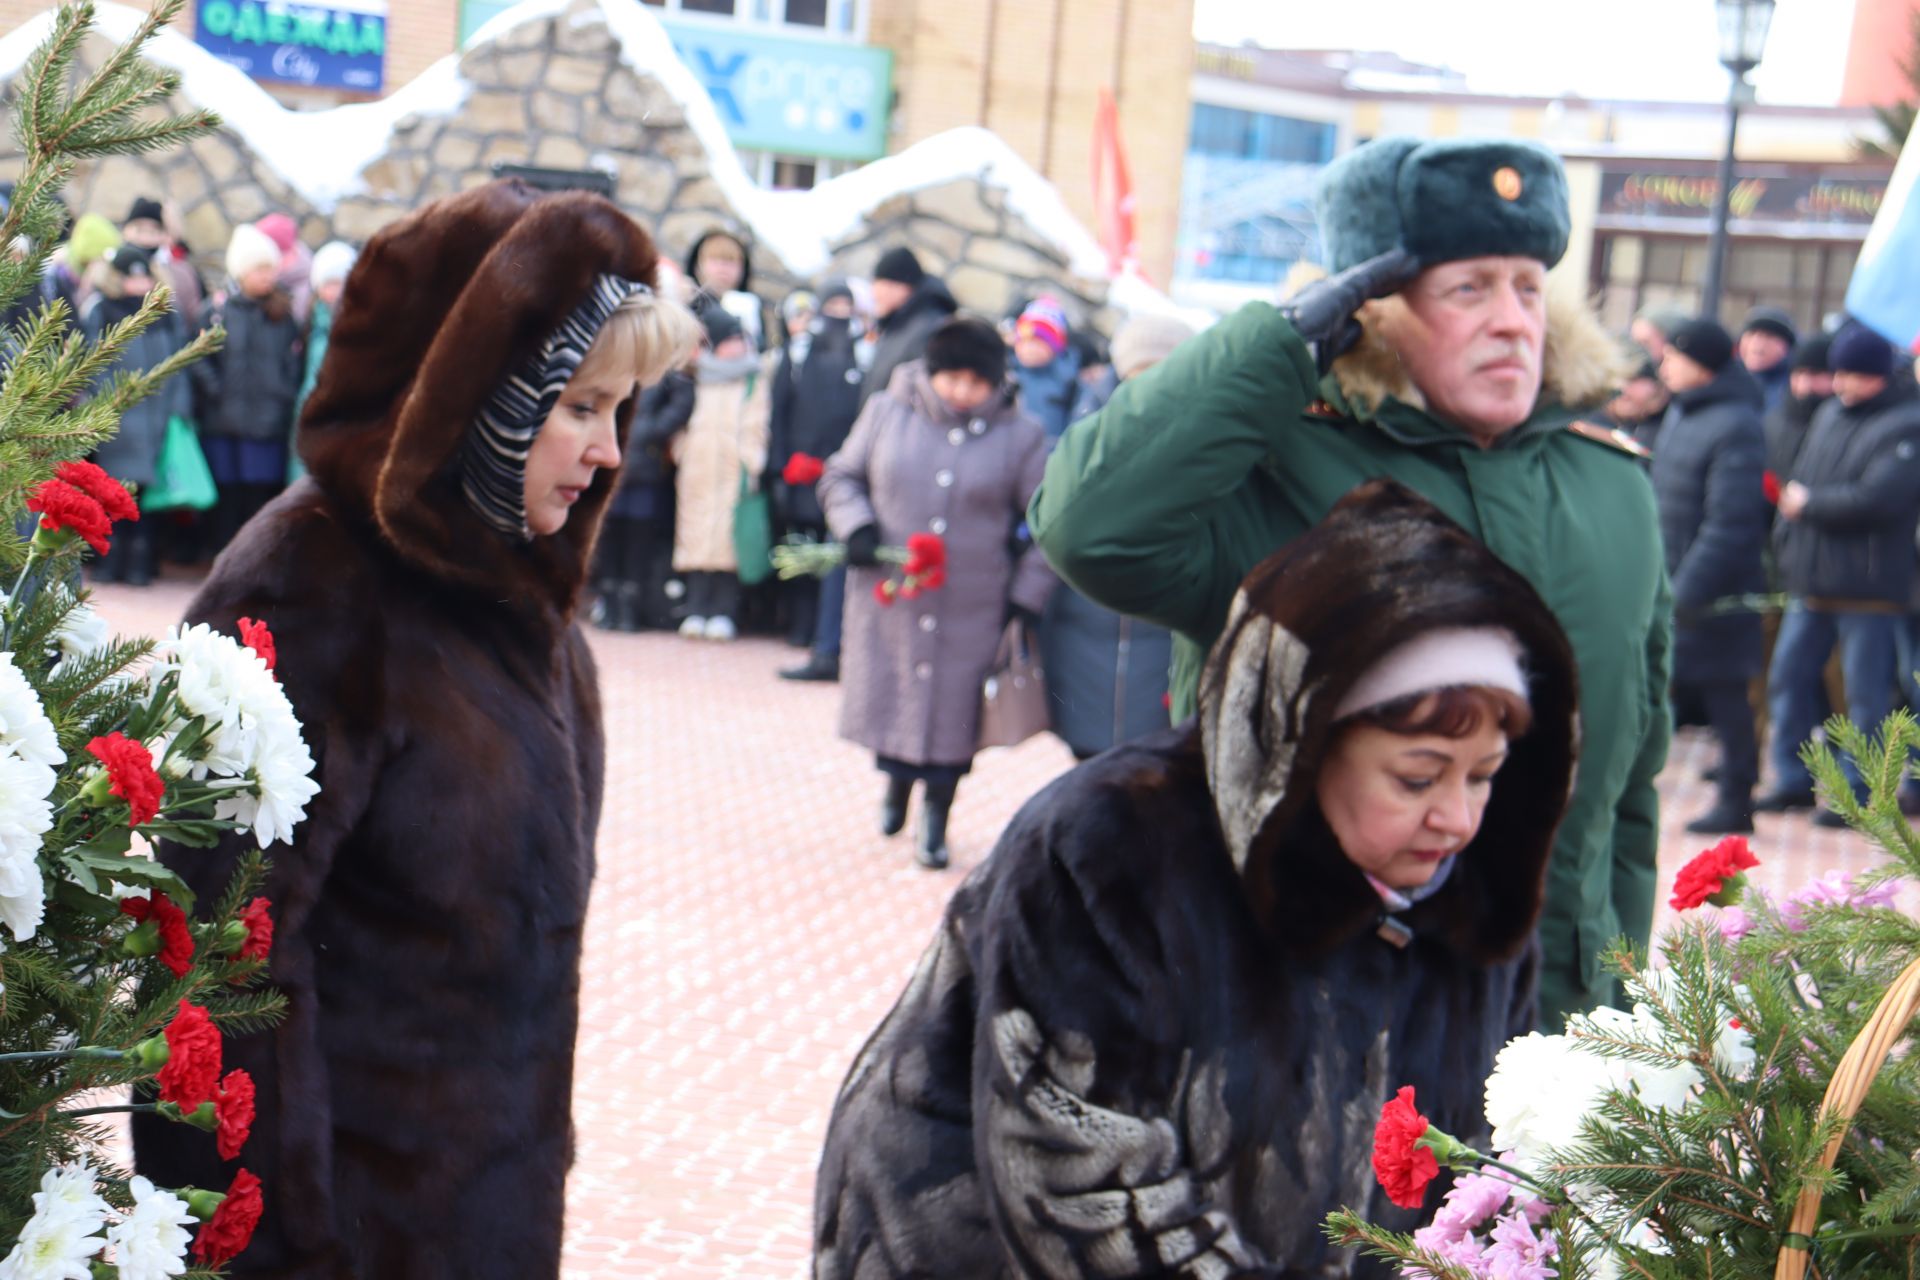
[817, 398]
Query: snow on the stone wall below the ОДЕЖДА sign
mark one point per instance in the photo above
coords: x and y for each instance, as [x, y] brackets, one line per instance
[320, 154]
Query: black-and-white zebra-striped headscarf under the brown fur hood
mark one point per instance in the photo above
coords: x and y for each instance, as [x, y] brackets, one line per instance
[494, 456]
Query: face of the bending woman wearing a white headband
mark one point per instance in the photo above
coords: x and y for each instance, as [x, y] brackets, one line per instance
[1403, 805]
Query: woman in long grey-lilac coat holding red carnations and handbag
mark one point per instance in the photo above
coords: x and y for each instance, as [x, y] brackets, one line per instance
[944, 450]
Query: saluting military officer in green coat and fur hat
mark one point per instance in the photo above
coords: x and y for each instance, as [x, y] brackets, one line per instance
[1431, 356]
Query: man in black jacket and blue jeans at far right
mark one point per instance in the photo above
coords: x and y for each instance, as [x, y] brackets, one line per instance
[1846, 546]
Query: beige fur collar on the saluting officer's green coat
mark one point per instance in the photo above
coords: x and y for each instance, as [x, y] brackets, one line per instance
[1583, 366]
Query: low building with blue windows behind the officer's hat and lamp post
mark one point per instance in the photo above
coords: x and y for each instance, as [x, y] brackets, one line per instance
[1643, 179]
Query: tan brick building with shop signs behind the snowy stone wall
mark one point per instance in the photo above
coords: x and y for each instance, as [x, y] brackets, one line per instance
[807, 87]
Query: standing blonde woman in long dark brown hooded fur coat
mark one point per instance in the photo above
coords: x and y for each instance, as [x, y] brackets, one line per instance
[421, 582]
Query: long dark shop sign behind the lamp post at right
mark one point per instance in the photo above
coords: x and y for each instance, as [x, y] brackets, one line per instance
[1775, 199]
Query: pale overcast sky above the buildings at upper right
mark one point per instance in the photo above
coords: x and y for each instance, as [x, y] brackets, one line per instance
[1616, 49]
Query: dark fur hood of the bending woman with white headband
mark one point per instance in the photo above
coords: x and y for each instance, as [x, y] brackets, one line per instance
[1380, 569]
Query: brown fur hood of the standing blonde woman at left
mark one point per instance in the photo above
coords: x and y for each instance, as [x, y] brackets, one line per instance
[437, 312]
